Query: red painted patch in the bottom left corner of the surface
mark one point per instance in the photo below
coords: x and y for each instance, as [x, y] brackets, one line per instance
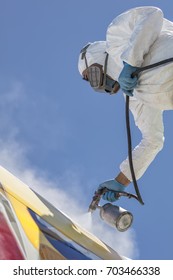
[9, 248]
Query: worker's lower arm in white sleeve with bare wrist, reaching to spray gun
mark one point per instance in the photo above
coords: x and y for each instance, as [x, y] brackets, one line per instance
[149, 121]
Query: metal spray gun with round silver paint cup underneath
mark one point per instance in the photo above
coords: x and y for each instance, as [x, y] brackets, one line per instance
[113, 215]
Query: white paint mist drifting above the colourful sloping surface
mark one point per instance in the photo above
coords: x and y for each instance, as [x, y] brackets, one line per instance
[13, 156]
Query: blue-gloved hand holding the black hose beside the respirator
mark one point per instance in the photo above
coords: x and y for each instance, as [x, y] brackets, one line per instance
[126, 81]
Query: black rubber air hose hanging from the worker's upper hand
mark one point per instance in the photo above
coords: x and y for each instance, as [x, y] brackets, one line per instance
[140, 69]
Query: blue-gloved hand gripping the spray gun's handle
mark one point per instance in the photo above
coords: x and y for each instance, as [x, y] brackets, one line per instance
[112, 186]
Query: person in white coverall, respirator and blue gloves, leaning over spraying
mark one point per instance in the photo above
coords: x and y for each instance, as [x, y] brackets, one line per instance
[138, 37]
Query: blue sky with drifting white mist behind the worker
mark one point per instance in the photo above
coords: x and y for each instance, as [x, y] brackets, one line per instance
[61, 137]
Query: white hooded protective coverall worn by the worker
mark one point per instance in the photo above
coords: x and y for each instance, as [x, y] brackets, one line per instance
[141, 36]
